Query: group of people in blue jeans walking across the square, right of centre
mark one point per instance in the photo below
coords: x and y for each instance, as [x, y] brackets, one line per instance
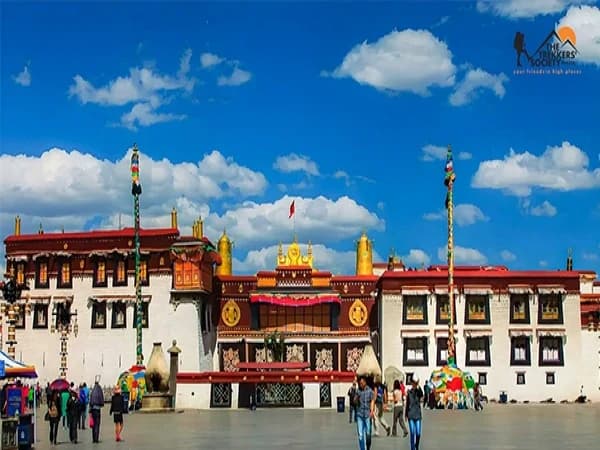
[368, 401]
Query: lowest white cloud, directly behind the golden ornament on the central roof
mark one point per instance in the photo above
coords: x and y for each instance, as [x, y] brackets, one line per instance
[339, 262]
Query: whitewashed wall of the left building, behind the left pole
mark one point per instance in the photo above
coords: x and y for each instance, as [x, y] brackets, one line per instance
[108, 352]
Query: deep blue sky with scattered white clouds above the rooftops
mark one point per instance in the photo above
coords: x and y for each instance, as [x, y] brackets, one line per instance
[240, 108]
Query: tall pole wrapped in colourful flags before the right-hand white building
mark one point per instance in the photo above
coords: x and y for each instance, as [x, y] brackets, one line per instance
[449, 182]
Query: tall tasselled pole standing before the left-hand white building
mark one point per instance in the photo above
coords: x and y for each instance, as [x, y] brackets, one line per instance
[136, 191]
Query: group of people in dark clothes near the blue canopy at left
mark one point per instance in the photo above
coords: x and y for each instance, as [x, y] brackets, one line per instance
[72, 406]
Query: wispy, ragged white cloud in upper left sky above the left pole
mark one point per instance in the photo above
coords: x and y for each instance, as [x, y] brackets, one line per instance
[144, 87]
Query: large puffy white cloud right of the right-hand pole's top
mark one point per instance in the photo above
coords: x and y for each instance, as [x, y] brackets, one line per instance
[562, 168]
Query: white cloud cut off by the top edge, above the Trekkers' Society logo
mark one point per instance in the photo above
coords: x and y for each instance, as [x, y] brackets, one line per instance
[516, 9]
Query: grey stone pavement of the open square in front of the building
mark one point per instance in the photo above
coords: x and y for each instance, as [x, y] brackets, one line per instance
[498, 427]
